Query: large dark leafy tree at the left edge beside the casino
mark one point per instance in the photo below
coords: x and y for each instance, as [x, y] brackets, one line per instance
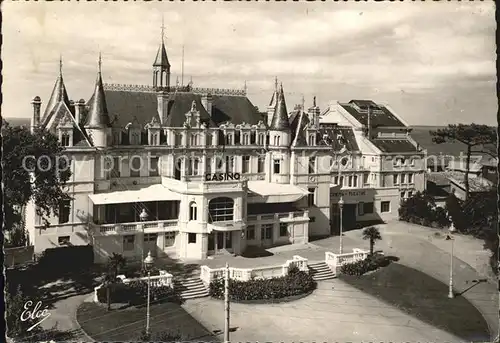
[34, 168]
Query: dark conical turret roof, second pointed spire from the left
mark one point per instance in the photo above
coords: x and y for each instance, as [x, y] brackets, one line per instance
[98, 111]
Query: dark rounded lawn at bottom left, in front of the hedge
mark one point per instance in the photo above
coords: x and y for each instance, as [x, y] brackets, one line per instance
[126, 324]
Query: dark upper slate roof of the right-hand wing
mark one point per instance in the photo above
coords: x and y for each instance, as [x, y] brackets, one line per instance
[380, 115]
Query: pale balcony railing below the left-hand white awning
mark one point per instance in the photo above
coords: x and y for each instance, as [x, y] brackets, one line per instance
[130, 228]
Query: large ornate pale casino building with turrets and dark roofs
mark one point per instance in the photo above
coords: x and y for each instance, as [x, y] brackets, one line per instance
[191, 172]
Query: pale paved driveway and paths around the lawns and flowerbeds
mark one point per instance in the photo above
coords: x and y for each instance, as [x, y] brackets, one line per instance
[337, 311]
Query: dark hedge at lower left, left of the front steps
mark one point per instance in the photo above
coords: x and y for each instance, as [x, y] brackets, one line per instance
[136, 293]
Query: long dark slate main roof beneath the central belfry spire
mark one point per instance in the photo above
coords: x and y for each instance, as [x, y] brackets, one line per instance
[126, 105]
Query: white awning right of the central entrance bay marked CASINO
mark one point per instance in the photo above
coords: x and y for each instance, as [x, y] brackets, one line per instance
[275, 192]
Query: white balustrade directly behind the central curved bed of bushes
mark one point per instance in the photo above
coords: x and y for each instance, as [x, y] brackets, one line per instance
[207, 274]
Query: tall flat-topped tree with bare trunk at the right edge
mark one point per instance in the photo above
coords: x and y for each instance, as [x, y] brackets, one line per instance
[477, 139]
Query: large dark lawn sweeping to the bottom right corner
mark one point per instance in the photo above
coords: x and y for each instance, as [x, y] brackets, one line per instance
[425, 298]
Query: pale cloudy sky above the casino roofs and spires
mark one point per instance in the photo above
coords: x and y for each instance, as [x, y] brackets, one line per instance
[432, 62]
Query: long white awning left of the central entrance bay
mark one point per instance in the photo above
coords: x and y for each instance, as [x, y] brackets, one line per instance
[148, 193]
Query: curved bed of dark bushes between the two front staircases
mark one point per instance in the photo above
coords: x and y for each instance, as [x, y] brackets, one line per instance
[295, 283]
